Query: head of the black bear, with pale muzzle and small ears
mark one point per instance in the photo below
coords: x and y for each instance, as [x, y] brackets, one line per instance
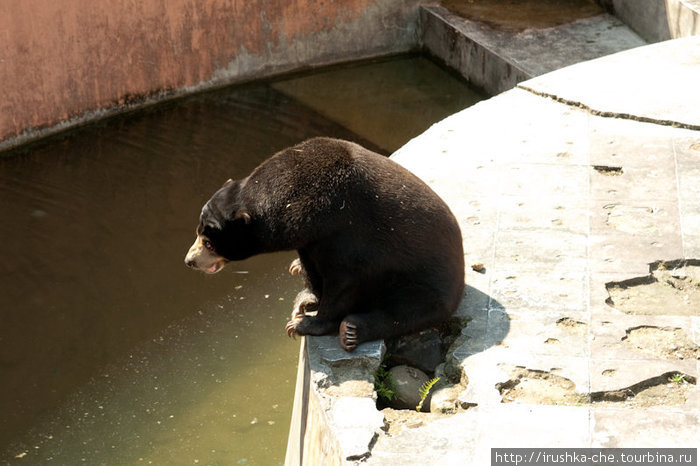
[224, 232]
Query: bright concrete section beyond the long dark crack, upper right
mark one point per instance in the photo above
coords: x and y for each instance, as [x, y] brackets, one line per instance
[631, 88]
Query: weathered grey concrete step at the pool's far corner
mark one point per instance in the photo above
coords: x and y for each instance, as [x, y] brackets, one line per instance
[496, 59]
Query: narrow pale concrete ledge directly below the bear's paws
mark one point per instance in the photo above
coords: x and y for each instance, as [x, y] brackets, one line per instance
[335, 420]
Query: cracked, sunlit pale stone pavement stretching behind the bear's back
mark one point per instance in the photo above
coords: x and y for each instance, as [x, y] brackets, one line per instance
[579, 192]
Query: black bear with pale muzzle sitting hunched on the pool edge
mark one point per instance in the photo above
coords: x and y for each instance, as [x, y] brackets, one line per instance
[380, 252]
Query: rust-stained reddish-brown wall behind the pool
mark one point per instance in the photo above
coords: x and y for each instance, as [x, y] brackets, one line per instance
[64, 62]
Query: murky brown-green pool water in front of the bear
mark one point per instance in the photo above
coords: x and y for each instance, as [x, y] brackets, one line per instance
[112, 351]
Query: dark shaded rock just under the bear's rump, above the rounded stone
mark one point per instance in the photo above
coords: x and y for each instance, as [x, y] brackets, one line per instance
[423, 350]
